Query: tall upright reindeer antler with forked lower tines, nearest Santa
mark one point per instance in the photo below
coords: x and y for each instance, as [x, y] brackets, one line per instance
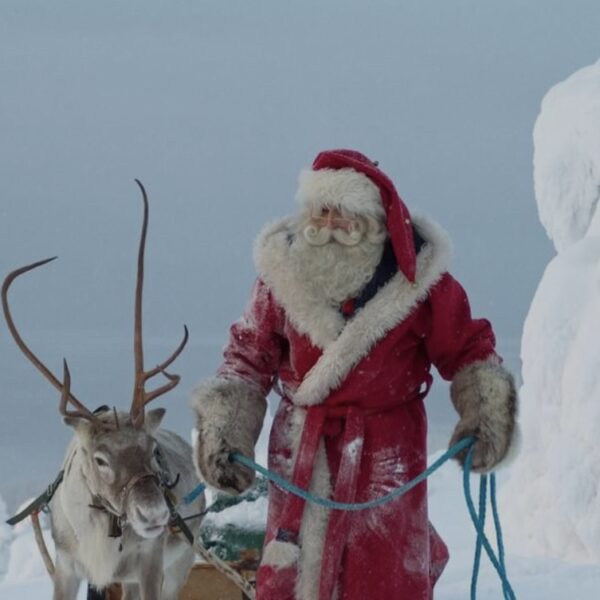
[140, 396]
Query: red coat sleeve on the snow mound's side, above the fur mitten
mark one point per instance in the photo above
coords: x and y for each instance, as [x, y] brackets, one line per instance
[455, 338]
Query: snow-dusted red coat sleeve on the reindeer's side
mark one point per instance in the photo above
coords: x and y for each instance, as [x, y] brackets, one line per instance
[256, 344]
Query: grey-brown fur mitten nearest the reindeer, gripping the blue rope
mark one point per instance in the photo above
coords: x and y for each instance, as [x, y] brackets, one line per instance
[229, 415]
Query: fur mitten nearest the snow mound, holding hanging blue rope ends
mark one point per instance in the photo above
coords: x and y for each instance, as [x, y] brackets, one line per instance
[485, 397]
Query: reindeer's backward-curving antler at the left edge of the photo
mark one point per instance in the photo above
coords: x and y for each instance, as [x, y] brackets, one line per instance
[64, 389]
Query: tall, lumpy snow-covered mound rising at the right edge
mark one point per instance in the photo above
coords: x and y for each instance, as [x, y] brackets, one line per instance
[552, 494]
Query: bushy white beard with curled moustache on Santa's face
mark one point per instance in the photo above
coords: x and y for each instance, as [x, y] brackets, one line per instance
[334, 272]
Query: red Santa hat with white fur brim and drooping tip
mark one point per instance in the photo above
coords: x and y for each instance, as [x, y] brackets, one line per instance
[348, 179]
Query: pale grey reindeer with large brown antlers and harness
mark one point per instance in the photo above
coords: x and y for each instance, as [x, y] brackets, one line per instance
[110, 516]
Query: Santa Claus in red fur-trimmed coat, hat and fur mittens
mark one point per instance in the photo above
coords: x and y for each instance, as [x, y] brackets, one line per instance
[352, 306]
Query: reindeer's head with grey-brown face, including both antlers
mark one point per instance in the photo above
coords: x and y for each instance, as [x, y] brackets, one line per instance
[123, 466]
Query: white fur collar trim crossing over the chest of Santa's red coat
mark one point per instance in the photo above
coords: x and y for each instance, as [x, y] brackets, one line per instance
[345, 344]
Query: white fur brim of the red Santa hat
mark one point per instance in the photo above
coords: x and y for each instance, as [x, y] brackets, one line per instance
[346, 188]
